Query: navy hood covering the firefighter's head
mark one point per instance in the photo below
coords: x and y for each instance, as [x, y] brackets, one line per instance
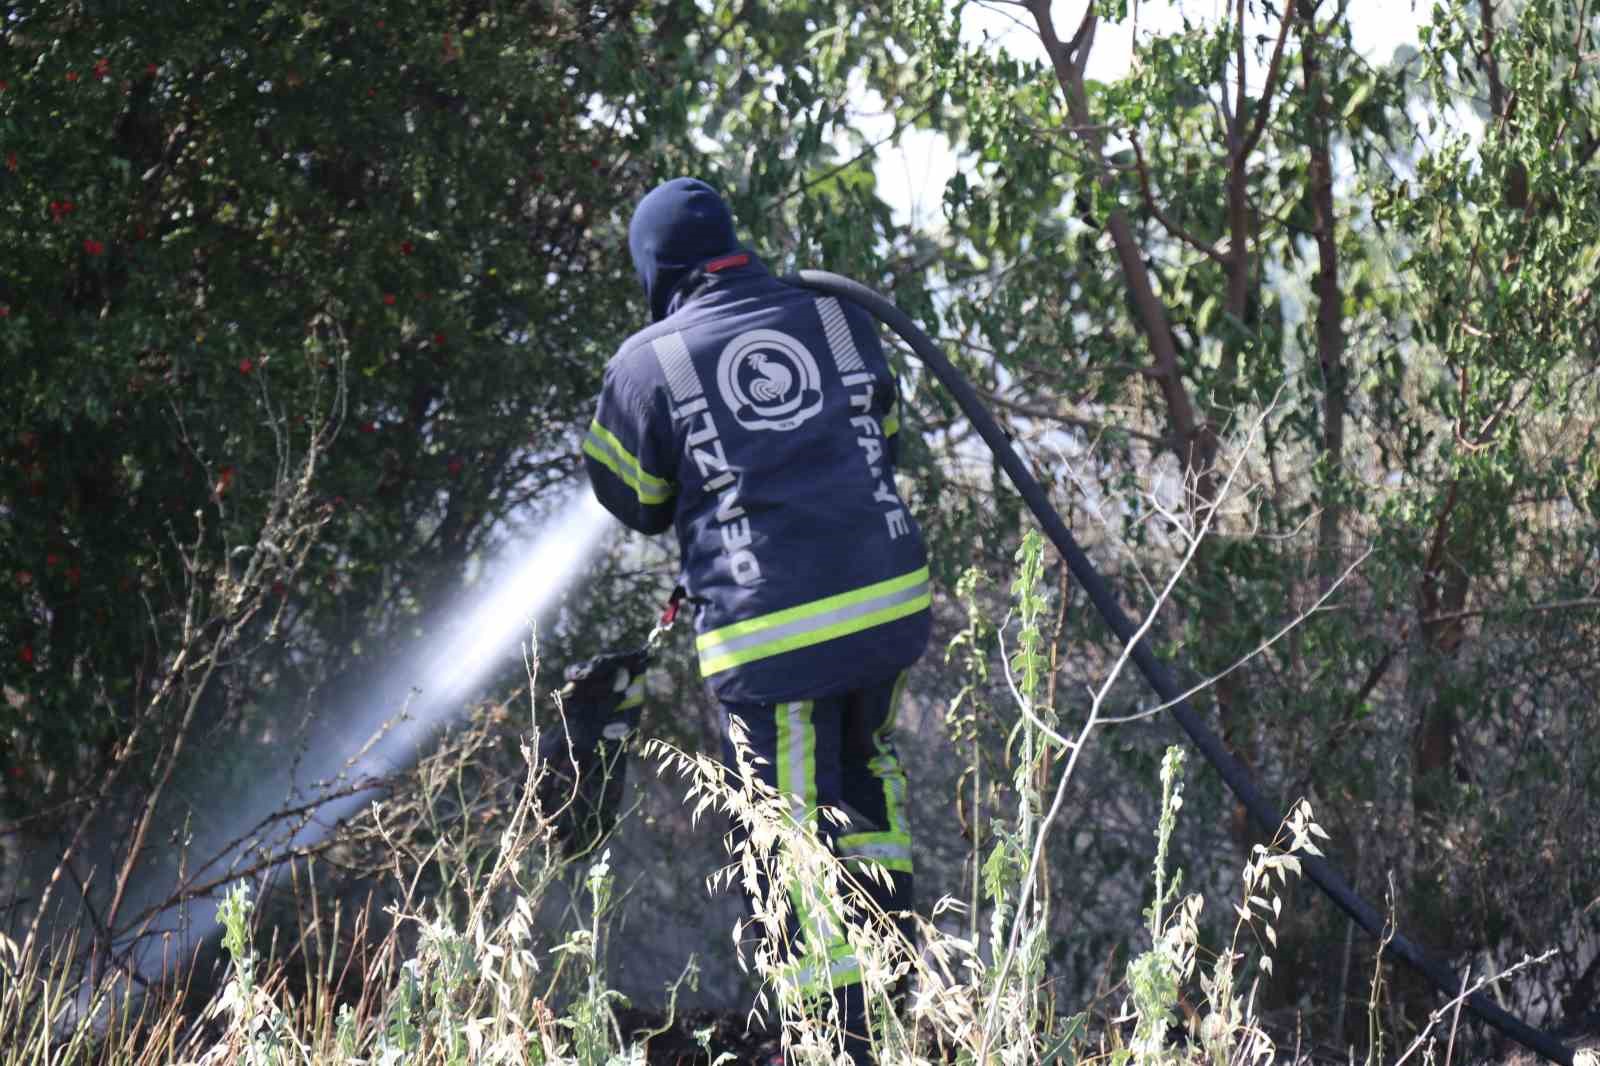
[676, 228]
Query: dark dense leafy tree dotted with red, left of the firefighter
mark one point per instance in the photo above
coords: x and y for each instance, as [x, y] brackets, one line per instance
[311, 308]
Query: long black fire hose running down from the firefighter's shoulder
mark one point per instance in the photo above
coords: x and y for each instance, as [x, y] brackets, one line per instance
[1234, 774]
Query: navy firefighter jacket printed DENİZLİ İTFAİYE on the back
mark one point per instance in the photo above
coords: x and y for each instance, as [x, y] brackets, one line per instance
[761, 422]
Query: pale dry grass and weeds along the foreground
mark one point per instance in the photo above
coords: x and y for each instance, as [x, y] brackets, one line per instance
[450, 964]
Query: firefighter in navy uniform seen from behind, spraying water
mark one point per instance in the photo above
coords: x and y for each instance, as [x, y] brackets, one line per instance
[759, 422]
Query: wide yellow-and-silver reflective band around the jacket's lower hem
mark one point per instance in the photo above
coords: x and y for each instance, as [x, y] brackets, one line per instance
[814, 623]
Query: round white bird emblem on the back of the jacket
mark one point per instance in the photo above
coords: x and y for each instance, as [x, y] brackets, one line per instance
[769, 380]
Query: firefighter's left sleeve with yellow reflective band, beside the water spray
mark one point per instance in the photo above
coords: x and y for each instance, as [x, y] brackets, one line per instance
[630, 463]
